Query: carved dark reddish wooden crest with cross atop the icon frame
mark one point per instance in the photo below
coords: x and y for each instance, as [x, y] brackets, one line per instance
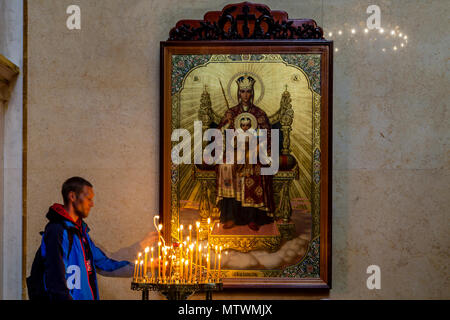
[246, 21]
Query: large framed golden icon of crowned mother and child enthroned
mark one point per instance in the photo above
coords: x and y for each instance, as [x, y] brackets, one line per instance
[246, 144]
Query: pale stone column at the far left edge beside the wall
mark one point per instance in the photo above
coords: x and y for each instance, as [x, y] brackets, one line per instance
[11, 136]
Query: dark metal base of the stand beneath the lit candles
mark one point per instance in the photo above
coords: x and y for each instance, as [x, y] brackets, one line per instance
[177, 291]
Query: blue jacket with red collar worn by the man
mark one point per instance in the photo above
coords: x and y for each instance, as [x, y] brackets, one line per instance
[71, 275]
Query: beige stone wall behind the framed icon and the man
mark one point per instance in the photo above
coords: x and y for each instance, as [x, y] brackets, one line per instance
[93, 111]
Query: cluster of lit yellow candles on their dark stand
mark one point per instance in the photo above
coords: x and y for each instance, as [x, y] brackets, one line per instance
[180, 268]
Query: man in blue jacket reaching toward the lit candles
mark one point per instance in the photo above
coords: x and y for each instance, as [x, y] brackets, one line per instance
[70, 256]
